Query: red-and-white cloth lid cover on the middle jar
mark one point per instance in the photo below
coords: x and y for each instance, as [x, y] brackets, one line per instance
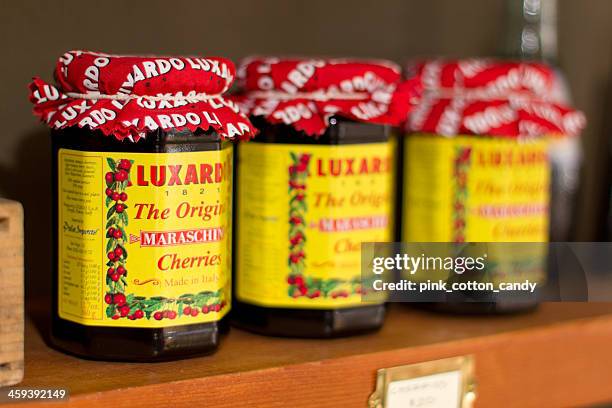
[306, 93]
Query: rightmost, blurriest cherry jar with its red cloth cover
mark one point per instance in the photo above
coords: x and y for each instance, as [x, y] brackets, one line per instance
[477, 170]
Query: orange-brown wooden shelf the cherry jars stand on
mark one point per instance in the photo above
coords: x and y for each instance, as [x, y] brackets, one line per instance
[559, 355]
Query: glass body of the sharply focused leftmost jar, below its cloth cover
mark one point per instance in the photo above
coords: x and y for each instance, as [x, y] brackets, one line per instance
[171, 296]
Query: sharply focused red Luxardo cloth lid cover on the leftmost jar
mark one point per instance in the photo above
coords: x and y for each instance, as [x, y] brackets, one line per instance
[129, 96]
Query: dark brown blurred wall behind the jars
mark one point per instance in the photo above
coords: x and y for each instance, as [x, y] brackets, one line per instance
[34, 33]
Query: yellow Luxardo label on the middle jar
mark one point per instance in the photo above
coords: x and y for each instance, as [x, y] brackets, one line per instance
[303, 212]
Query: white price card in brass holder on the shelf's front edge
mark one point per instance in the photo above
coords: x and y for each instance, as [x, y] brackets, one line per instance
[447, 383]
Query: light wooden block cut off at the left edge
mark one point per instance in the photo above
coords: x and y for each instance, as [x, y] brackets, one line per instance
[11, 292]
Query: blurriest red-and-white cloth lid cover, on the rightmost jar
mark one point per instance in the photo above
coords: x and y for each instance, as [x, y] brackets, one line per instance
[491, 98]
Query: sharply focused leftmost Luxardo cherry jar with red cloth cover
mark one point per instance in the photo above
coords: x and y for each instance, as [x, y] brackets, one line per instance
[142, 203]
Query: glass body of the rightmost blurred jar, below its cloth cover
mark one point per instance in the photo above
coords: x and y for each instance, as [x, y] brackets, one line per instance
[478, 189]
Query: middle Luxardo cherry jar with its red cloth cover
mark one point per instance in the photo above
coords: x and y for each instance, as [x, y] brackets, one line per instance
[316, 182]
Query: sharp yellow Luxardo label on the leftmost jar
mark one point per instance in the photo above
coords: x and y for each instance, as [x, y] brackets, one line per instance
[144, 238]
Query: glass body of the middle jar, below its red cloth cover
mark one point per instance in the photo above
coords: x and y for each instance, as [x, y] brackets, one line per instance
[304, 205]
